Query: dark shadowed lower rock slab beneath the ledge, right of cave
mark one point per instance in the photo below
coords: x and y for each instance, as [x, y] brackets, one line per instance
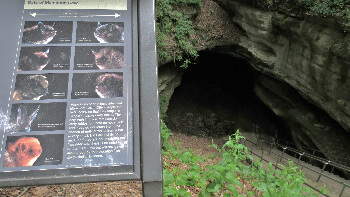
[309, 126]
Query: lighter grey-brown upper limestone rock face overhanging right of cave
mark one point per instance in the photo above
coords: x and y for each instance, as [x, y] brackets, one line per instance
[301, 52]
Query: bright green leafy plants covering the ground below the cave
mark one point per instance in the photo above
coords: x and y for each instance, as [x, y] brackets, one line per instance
[234, 174]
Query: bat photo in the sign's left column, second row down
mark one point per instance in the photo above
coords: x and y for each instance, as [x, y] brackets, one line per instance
[44, 58]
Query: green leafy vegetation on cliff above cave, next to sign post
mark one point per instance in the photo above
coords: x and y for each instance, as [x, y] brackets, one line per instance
[174, 30]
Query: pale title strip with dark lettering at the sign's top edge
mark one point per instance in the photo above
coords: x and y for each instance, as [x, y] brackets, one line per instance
[76, 4]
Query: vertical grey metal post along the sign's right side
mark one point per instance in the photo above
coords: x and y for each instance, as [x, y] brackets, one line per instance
[152, 168]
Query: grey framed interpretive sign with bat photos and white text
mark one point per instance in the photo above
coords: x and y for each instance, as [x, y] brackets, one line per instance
[70, 92]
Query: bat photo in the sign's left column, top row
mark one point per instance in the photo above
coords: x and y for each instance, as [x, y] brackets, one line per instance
[47, 32]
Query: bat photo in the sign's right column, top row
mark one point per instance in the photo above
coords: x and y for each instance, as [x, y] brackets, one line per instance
[100, 32]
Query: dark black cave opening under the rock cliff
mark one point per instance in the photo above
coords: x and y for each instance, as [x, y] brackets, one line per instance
[216, 97]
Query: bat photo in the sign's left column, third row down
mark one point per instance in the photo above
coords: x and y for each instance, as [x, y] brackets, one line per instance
[41, 86]
